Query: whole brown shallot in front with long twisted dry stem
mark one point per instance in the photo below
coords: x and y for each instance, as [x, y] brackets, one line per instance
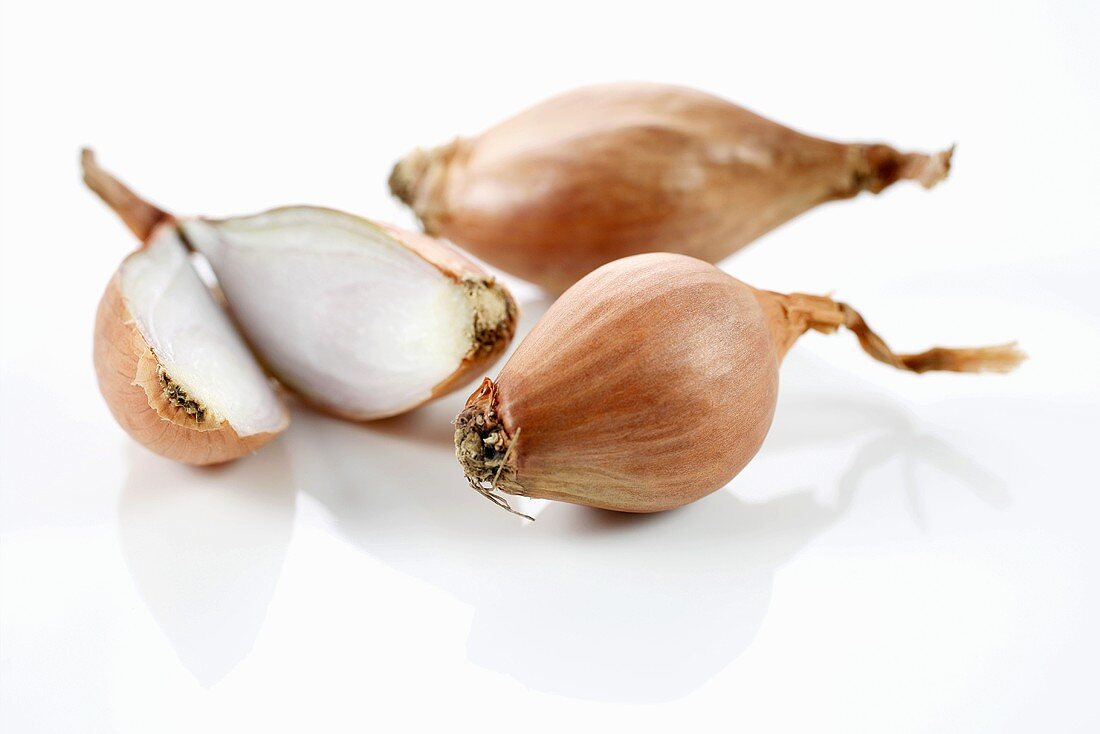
[652, 384]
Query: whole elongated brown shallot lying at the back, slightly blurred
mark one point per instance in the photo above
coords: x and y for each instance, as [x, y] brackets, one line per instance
[611, 171]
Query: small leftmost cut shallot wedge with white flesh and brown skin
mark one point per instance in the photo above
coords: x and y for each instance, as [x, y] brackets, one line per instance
[175, 374]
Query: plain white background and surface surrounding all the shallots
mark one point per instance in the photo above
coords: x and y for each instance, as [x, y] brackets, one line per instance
[906, 554]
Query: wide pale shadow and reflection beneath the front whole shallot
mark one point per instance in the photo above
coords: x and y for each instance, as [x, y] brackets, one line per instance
[590, 604]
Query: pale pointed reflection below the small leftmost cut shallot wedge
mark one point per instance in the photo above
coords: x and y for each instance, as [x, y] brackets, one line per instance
[206, 549]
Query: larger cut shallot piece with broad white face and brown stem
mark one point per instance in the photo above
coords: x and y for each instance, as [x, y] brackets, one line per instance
[359, 319]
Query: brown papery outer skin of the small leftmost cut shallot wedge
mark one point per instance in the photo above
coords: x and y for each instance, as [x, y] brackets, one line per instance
[130, 380]
